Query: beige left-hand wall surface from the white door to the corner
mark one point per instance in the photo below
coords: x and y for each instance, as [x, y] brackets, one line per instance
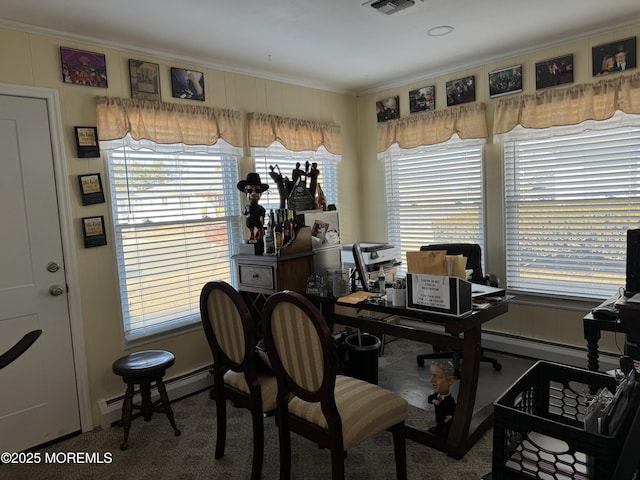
[34, 60]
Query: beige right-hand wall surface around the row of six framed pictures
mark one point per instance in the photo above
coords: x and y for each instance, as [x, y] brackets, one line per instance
[562, 322]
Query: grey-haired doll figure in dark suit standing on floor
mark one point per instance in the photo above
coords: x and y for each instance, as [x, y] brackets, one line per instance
[442, 378]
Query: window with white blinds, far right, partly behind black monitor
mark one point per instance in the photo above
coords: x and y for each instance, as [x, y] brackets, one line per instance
[569, 201]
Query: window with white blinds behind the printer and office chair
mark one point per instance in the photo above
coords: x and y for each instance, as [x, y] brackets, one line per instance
[434, 195]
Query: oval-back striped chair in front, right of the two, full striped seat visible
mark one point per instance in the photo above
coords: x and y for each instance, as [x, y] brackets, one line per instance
[335, 411]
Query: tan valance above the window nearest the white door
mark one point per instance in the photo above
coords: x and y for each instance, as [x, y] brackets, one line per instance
[167, 123]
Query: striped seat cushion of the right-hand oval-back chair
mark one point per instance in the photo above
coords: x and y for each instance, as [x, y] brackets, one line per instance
[367, 408]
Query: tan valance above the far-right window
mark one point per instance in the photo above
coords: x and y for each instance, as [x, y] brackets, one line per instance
[569, 106]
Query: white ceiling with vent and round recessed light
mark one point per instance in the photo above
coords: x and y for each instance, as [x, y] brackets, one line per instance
[338, 45]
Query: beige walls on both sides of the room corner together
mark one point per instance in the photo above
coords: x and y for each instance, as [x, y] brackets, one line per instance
[33, 60]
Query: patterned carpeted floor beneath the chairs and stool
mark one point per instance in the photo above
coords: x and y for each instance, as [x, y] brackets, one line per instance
[155, 453]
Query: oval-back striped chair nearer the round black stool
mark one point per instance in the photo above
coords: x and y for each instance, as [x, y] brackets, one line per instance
[231, 335]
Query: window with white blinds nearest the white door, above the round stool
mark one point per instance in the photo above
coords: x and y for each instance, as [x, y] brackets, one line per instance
[175, 217]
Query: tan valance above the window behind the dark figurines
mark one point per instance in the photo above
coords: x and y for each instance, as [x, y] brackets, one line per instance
[295, 134]
